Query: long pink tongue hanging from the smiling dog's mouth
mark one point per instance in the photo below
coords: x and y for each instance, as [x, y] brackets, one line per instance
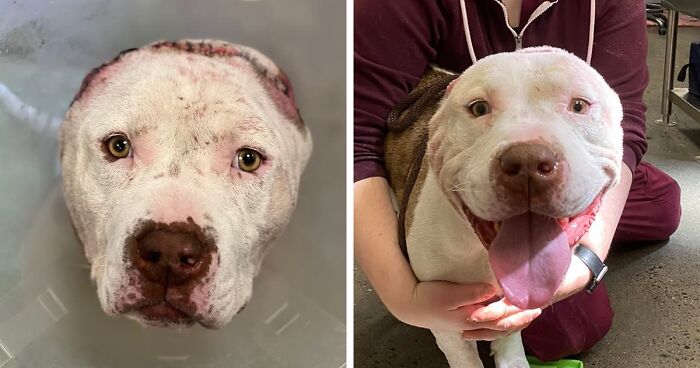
[529, 257]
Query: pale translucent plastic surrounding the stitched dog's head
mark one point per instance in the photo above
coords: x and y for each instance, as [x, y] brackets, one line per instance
[49, 312]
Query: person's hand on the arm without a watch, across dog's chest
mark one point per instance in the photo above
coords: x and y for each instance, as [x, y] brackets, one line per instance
[443, 305]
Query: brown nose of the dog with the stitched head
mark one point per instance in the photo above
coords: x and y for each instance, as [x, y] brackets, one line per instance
[170, 257]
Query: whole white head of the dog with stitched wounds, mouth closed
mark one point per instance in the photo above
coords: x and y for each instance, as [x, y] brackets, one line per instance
[181, 163]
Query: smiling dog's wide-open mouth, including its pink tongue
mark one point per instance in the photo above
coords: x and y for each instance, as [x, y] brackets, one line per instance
[530, 253]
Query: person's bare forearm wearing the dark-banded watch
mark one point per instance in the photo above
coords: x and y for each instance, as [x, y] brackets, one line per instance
[599, 235]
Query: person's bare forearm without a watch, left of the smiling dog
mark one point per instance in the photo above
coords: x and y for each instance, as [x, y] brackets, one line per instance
[376, 244]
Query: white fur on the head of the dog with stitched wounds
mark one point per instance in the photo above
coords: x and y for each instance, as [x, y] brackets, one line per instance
[145, 96]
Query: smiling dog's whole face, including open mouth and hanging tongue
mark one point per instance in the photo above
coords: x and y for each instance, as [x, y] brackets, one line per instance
[525, 144]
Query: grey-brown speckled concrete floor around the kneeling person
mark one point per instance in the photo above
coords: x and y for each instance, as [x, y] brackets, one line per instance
[654, 288]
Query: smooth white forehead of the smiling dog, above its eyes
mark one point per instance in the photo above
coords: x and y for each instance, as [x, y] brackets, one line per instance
[546, 73]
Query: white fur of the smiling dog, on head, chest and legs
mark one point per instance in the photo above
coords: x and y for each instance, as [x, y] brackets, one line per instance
[529, 92]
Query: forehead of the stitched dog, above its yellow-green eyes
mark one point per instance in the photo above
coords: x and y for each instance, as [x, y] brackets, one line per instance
[209, 85]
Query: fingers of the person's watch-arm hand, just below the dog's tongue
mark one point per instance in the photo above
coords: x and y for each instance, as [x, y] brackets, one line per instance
[497, 320]
